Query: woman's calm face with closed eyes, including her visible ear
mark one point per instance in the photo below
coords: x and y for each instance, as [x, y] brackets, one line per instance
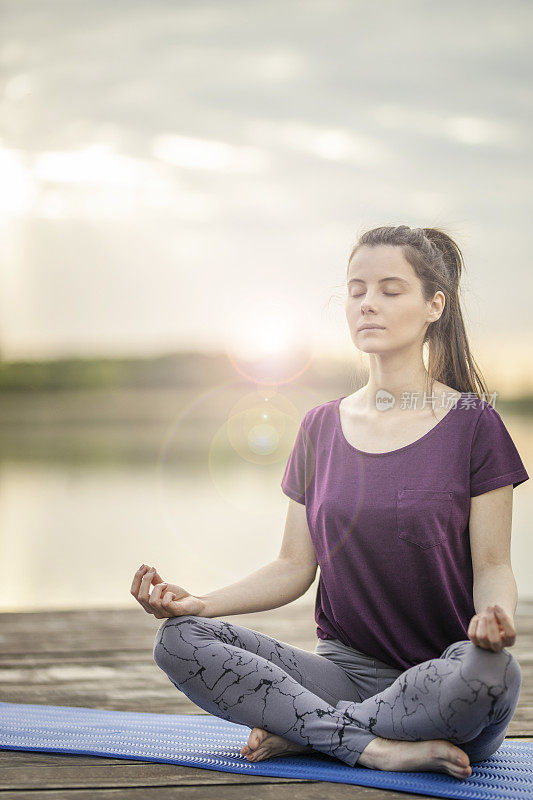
[383, 289]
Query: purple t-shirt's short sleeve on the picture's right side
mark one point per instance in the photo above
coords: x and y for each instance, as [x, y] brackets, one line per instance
[494, 459]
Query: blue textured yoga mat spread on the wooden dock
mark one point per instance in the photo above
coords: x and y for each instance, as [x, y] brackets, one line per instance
[207, 742]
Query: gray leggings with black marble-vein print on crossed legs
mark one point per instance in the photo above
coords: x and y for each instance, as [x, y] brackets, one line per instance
[338, 702]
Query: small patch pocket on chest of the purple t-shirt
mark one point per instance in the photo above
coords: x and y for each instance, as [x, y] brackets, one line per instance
[423, 516]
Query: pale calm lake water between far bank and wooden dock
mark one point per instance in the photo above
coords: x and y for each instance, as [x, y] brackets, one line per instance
[73, 534]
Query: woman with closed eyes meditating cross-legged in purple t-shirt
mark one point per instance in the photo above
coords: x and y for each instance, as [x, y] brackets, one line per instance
[408, 515]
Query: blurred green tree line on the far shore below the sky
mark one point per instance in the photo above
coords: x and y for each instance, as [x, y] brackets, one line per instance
[194, 373]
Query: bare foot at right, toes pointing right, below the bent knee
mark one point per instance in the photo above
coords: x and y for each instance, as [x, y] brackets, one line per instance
[433, 755]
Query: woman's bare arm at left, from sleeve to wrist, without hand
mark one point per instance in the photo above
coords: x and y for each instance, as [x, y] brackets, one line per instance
[280, 582]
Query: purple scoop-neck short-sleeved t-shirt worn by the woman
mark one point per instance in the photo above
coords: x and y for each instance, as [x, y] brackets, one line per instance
[390, 530]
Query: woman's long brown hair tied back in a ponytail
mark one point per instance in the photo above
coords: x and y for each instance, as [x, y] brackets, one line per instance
[438, 262]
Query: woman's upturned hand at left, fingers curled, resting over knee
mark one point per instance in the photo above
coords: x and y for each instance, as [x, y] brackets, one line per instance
[167, 599]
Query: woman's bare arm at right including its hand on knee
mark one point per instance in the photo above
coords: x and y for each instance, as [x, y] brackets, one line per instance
[495, 590]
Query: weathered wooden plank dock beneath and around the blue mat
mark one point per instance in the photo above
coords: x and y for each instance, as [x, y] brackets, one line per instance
[103, 659]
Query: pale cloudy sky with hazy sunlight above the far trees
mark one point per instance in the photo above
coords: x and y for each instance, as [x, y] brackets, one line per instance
[194, 174]
